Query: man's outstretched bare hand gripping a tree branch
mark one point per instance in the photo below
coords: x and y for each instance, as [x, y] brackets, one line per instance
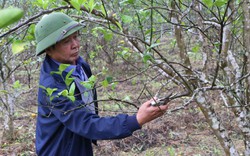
[147, 113]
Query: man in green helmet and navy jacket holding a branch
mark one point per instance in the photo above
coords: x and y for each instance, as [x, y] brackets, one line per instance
[68, 126]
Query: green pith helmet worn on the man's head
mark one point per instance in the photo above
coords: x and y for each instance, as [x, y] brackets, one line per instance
[52, 28]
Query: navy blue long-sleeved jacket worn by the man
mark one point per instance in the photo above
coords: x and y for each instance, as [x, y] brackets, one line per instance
[67, 128]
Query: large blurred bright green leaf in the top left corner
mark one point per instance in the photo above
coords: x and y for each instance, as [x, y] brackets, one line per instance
[9, 16]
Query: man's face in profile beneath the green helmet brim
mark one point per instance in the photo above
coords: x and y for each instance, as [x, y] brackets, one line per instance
[67, 50]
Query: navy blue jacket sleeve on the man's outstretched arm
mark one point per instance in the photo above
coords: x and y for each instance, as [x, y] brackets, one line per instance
[78, 119]
